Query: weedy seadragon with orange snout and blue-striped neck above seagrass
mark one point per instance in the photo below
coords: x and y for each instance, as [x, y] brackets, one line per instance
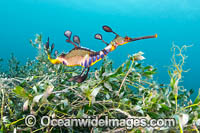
[80, 56]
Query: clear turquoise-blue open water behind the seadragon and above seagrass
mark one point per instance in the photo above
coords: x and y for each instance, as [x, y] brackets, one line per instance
[175, 21]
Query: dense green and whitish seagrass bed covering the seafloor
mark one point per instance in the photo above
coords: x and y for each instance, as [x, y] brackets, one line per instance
[129, 91]
